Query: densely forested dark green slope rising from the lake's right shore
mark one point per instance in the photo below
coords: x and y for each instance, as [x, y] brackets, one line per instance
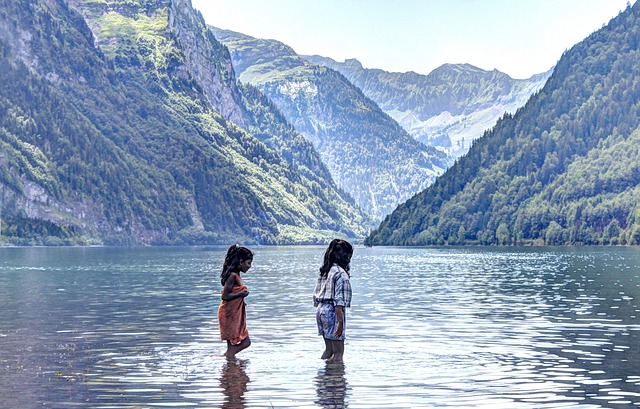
[564, 169]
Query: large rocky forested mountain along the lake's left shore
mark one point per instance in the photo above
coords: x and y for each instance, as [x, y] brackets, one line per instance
[122, 123]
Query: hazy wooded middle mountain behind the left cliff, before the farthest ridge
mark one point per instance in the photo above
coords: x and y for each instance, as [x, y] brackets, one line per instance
[368, 154]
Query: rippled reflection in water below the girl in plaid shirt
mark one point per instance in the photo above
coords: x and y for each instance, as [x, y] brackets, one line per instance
[331, 386]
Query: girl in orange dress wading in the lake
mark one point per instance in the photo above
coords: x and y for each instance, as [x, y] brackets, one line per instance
[232, 314]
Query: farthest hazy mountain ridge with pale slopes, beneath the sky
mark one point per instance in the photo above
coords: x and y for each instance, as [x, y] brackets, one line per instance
[450, 107]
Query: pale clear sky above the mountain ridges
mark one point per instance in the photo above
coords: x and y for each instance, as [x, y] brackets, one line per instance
[518, 37]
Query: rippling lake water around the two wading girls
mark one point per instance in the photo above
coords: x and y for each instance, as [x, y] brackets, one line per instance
[478, 327]
